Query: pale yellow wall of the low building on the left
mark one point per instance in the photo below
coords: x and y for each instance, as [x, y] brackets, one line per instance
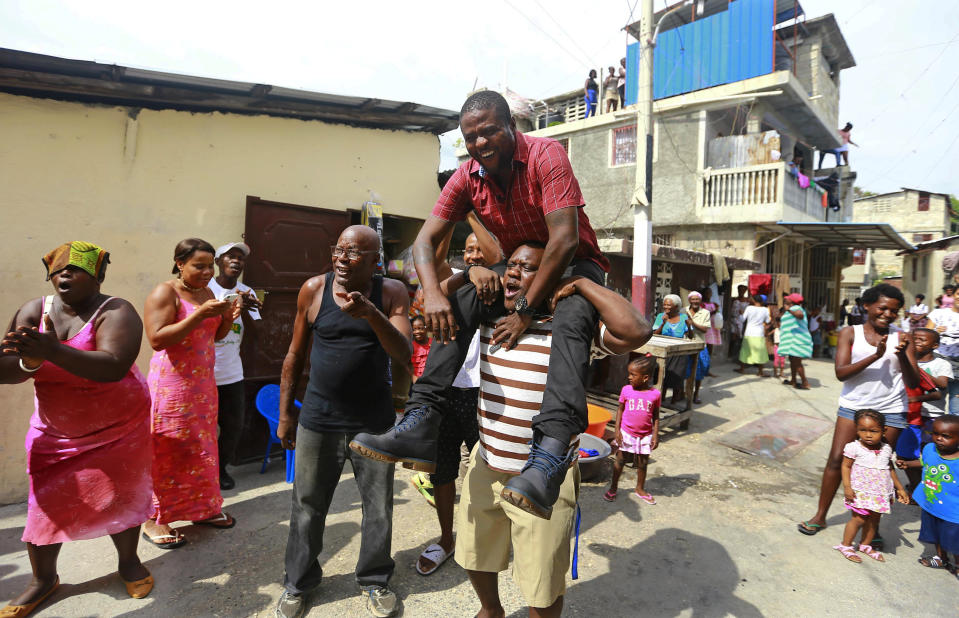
[137, 183]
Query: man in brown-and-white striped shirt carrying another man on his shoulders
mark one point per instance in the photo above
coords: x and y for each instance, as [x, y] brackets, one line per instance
[512, 384]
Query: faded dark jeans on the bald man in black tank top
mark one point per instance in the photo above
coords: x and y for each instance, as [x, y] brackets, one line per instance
[319, 462]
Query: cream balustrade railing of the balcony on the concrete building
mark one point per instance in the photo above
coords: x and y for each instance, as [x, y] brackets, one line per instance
[758, 193]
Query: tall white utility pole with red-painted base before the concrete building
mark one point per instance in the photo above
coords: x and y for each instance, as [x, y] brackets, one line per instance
[642, 279]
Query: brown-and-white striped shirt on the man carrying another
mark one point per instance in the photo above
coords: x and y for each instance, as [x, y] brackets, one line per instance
[511, 394]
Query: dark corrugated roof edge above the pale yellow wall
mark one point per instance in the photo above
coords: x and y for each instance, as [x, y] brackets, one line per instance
[38, 75]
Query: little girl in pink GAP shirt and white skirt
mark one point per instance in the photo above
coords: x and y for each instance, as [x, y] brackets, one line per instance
[637, 426]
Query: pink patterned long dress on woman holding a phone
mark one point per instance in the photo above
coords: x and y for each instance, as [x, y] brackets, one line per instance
[186, 474]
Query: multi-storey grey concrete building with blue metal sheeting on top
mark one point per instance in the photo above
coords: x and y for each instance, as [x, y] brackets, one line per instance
[726, 141]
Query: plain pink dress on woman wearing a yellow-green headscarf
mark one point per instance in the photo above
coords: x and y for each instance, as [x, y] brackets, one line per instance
[88, 452]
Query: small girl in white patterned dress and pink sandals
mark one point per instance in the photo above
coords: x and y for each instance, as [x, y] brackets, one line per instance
[868, 477]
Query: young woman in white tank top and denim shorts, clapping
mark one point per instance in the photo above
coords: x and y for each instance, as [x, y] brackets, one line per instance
[875, 363]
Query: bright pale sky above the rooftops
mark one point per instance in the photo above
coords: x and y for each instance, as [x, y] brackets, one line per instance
[902, 97]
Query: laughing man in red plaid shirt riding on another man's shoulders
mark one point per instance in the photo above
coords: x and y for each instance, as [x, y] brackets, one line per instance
[523, 189]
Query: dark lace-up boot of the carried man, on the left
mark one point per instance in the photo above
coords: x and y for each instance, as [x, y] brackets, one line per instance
[412, 440]
